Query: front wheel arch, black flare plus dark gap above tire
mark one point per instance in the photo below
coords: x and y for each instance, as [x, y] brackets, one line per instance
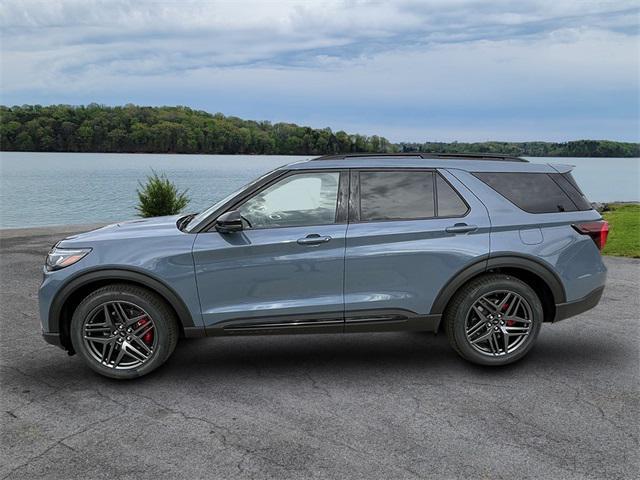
[72, 293]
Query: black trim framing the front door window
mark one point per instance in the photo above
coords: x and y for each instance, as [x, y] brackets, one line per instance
[341, 200]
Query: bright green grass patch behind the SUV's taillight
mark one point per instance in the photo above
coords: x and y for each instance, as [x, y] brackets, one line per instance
[624, 233]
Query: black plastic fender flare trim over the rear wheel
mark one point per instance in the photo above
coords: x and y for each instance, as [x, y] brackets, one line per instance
[522, 262]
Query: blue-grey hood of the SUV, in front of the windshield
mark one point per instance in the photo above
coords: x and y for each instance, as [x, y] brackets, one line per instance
[144, 227]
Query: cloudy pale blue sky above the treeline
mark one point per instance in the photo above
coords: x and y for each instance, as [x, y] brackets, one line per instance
[431, 70]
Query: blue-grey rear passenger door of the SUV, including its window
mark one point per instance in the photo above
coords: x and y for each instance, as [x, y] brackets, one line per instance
[410, 231]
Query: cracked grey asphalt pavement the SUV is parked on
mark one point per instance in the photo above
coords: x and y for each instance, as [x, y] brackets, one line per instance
[356, 406]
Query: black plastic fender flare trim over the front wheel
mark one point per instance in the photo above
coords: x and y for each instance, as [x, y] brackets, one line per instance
[115, 275]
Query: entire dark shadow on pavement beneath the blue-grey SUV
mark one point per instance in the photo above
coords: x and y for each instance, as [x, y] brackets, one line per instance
[332, 356]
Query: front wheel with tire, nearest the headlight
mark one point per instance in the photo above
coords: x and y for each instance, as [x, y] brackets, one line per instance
[109, 349]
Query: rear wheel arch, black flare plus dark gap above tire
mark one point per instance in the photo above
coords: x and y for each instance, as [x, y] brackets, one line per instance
[544, 281]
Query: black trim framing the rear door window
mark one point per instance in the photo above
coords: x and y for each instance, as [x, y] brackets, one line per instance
[354, 197]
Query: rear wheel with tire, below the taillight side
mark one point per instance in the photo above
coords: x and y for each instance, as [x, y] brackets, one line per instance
[480, 322]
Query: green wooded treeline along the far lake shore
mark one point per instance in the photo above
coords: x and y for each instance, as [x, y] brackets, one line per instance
[134, 129]
